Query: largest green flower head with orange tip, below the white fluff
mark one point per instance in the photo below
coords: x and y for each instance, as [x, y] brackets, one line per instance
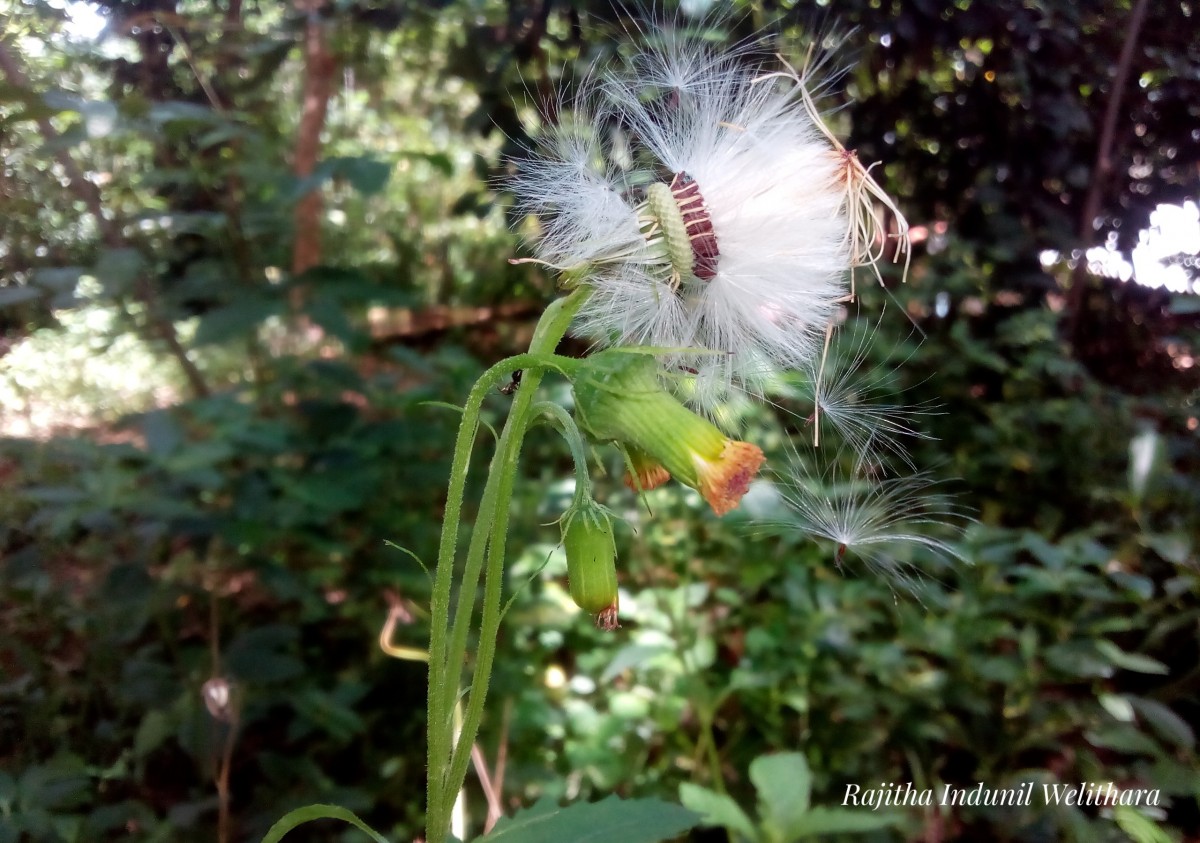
[619, 398]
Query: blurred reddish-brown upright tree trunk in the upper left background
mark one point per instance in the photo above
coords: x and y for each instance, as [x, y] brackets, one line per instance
[319, 86]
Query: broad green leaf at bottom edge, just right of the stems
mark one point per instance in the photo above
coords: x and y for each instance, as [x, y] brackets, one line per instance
[611, 821]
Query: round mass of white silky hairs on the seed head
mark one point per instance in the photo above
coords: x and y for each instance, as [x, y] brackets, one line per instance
[770, 181]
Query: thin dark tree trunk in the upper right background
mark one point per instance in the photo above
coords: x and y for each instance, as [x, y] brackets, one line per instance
[1101, 174]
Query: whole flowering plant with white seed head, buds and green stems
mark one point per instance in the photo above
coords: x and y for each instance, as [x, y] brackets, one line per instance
[706, 226]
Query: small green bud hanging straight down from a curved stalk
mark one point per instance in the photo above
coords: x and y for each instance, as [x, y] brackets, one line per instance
[592, 560]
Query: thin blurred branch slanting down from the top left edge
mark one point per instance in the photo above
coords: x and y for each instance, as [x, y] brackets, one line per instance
[110, 232]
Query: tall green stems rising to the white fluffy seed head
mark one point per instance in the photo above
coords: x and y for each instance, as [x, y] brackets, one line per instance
[448, 639]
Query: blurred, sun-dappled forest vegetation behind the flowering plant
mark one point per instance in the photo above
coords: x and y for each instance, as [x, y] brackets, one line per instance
[247, 244]
